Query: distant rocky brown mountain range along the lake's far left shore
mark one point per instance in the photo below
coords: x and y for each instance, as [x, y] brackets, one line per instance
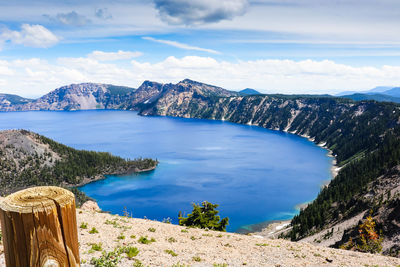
[86, 96]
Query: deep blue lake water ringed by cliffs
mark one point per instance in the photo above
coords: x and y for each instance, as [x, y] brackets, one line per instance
[254, 174]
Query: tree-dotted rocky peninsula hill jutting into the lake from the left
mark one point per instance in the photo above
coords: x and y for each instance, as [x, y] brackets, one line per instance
[28, 159]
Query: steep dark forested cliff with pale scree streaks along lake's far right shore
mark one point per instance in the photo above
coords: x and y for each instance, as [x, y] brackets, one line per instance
[340, 125]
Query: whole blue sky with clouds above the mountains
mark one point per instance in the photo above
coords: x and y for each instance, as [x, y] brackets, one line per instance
[274, 46]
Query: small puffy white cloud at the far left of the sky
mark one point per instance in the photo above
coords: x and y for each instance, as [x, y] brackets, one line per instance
[30, 35]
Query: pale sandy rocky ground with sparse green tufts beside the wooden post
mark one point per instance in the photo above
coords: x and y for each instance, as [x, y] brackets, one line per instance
[162, 244]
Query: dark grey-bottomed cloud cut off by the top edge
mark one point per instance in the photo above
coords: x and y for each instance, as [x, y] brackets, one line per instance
[189, 12]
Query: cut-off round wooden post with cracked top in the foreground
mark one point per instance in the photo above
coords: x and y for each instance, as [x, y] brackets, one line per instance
[39, 228]
